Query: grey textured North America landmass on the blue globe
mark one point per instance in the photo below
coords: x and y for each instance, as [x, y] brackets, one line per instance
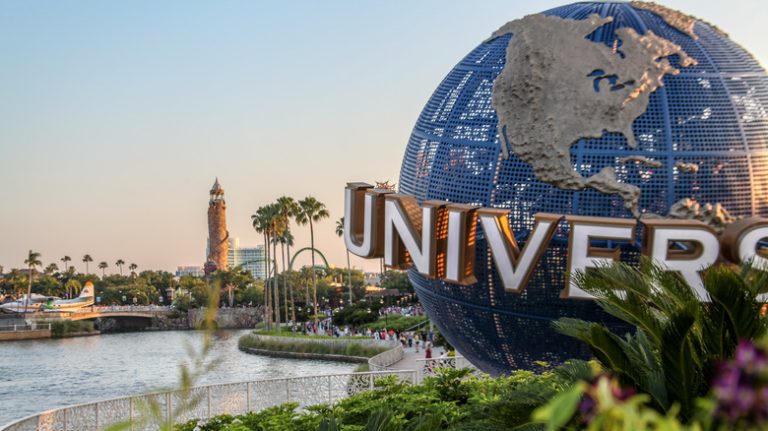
[558, 87]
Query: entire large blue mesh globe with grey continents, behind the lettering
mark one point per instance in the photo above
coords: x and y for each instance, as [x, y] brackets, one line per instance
[592, 109]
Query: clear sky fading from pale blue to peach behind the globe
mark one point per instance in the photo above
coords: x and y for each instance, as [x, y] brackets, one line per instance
[115, 117]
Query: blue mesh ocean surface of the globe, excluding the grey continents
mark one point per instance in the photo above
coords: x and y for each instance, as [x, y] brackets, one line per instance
[711, 115]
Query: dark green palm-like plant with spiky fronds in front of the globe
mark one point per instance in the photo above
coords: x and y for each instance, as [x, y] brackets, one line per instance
[678, 339]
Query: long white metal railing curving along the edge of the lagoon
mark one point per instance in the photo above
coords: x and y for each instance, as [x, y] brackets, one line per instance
[205, 402]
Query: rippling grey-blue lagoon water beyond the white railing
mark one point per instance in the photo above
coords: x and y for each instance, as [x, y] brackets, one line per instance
[43, 374]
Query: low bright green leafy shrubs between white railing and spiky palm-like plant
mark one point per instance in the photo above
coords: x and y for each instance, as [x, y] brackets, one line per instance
[454, 400]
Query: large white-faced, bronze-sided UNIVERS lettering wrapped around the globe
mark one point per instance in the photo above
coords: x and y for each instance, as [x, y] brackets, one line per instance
[437, 239]
